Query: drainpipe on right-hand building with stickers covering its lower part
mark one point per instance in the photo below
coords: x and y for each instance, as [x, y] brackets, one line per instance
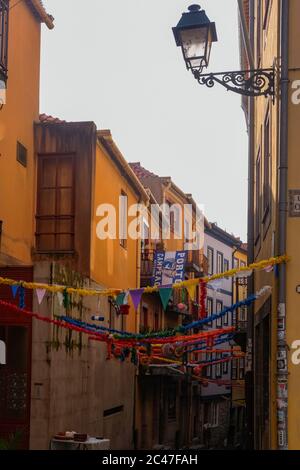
[282, 372]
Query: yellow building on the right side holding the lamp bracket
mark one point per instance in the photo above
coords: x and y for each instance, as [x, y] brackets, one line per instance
[269, 39]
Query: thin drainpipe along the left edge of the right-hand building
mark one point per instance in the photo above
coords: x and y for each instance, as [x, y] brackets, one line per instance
[249, 376]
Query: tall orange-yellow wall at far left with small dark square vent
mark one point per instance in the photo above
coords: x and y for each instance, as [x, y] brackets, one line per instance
[16, 124]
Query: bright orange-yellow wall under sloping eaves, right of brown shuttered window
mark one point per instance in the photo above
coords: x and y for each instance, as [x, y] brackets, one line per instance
[111, 264]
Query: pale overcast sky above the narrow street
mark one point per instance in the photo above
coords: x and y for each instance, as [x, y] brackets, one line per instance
[115, 62]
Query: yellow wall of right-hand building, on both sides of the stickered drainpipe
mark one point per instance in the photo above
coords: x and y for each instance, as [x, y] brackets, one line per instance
[271, 50]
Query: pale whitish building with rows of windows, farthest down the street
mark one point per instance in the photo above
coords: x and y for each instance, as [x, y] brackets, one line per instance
[221, 250]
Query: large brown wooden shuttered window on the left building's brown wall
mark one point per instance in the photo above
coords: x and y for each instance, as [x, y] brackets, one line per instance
[55, 203]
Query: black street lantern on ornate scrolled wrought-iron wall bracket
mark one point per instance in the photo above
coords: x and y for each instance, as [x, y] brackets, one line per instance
[195, 34]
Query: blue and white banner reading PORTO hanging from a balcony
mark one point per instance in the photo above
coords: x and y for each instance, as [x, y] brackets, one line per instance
[169, 267]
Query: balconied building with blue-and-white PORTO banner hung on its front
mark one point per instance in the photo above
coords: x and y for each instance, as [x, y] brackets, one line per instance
[169, 413]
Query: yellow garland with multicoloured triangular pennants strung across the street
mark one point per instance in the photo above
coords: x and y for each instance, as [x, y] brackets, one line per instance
[64, 292]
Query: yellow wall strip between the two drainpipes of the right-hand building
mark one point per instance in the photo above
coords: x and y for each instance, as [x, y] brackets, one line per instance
[266, 245]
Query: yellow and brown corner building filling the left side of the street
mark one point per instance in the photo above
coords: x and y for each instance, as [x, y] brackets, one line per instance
[54, 174]
